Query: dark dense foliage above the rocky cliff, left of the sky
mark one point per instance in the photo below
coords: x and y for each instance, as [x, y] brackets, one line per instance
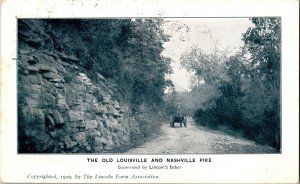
[127, 51]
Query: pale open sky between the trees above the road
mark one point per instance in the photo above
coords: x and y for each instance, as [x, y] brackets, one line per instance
[205, 33]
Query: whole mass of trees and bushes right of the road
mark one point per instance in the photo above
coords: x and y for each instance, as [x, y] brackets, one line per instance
[241, 93]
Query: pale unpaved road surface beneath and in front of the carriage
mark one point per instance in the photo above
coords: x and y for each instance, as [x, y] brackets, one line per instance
[196, 140]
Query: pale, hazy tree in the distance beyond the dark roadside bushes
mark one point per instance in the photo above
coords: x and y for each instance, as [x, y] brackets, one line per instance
[210, 71]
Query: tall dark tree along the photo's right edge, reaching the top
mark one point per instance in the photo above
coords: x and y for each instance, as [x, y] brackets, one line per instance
[263, 44]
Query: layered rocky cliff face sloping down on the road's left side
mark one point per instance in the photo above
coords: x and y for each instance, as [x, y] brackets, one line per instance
[61, 109]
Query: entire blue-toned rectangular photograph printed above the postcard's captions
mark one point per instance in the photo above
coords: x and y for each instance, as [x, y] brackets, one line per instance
[149, 85]
